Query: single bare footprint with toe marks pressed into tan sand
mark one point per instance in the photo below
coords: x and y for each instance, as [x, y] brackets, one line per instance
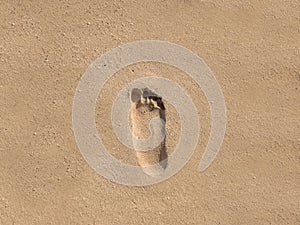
[146, 105]
